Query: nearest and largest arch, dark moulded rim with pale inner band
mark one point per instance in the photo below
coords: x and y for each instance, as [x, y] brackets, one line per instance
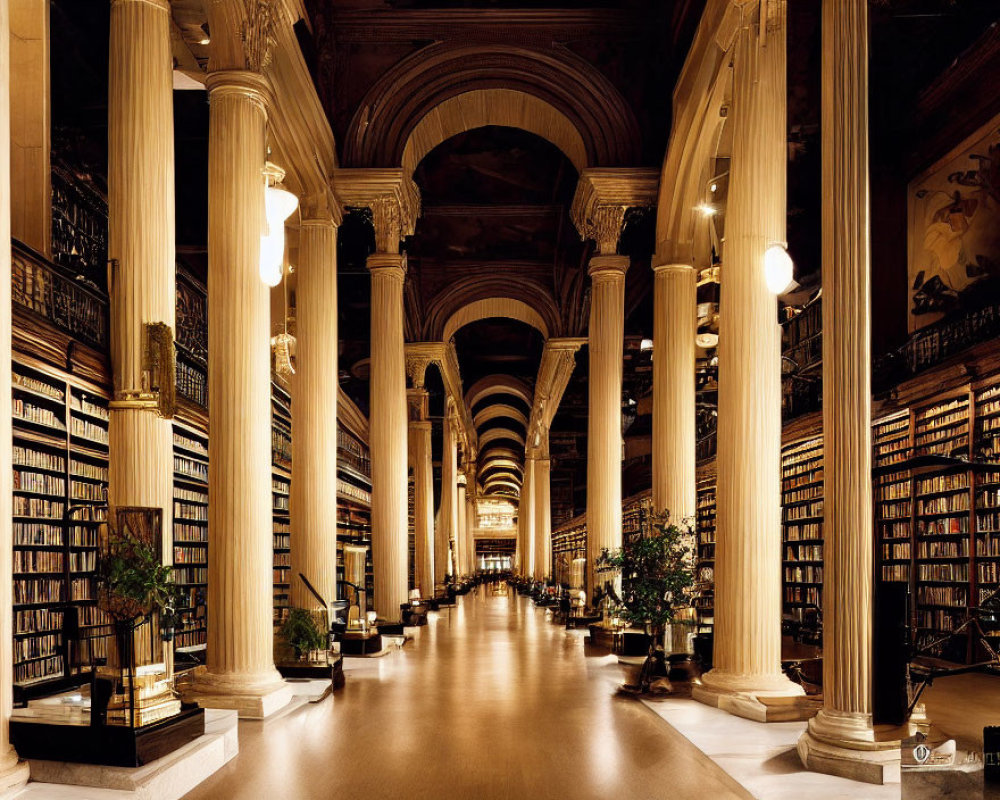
[553, 93]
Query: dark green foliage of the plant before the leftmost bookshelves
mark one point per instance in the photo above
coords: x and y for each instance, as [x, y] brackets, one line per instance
[131, 581]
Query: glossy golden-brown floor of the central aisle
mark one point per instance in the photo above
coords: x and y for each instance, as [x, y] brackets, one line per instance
[490, 701]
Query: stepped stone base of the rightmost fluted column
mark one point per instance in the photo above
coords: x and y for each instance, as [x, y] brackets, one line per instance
[844, 745]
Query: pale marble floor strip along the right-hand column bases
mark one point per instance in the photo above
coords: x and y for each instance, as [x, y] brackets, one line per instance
[761, 758]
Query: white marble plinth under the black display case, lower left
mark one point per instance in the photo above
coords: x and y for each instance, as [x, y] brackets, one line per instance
[167, 778]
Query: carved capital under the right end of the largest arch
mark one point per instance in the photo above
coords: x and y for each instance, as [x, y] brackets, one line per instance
[604, 194]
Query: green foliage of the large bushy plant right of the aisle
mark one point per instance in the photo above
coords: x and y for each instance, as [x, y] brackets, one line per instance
[655, 569]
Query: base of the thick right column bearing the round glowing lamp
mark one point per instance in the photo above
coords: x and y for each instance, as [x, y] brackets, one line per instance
[761, 698]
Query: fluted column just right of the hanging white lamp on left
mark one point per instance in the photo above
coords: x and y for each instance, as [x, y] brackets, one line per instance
[314, 466]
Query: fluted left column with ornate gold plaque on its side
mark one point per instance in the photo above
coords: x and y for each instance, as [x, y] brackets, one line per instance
[141, 249]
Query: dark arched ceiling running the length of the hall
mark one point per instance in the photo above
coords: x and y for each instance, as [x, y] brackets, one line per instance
[495, 111]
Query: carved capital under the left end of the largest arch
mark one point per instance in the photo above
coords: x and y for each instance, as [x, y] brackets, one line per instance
[391, 196]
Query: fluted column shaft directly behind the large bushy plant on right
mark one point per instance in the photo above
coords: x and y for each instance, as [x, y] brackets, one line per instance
[674, 327]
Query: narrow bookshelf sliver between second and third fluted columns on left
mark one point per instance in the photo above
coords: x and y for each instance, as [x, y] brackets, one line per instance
[281, 482]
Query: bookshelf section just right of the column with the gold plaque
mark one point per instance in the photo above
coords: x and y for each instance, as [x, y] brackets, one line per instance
[191, 533]
